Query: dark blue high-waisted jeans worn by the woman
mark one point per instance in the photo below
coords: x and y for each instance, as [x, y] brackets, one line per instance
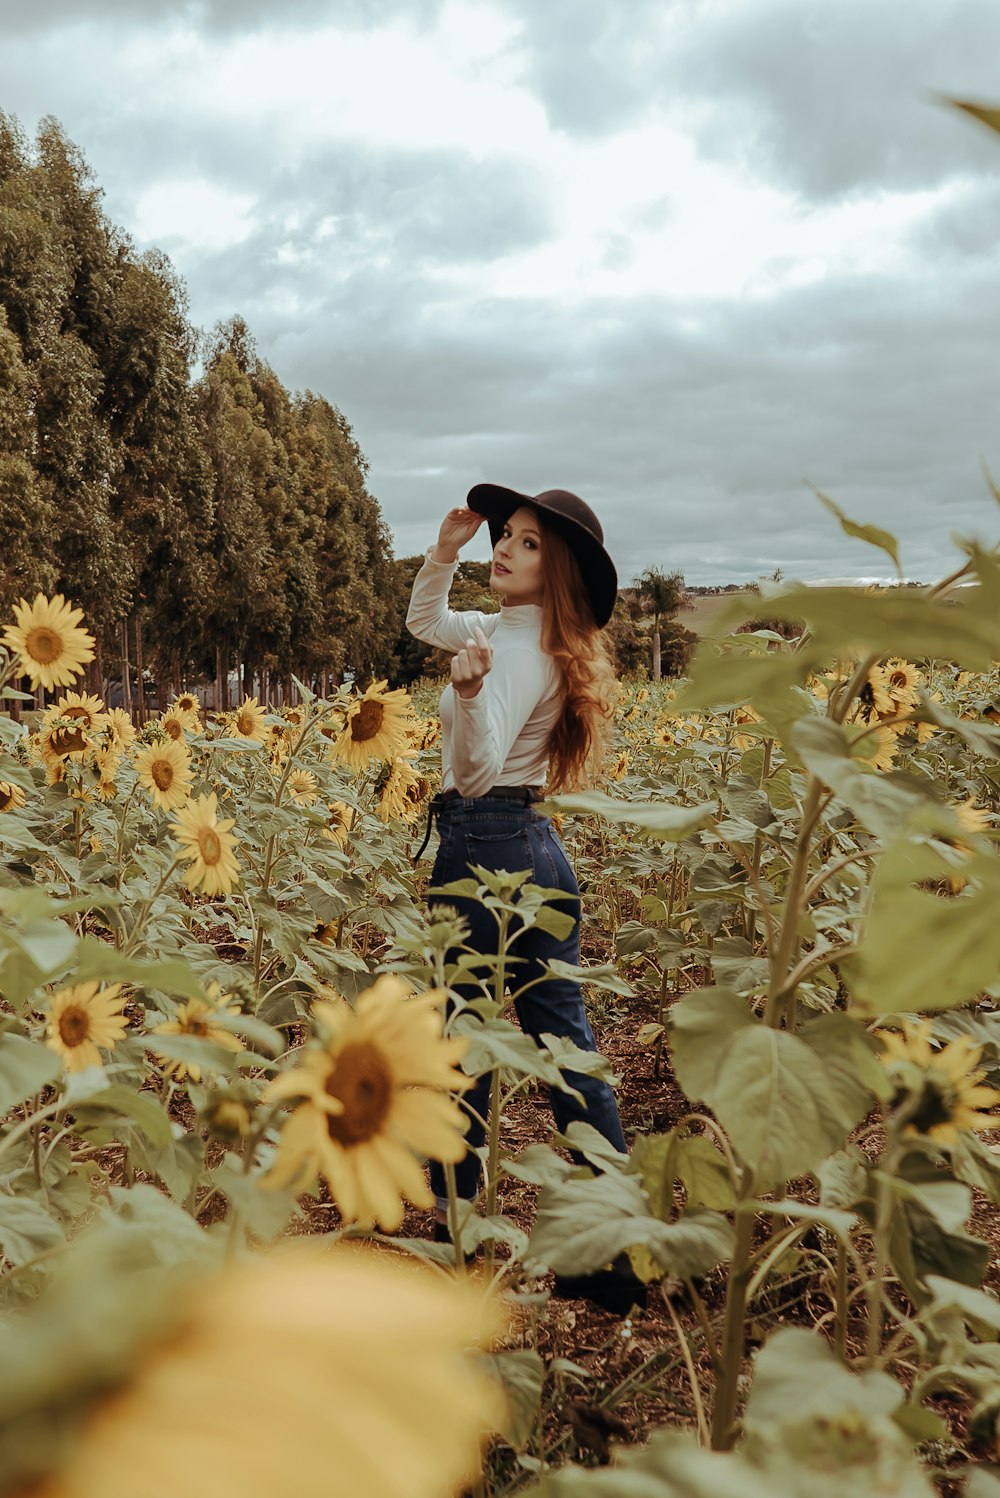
[505, 835]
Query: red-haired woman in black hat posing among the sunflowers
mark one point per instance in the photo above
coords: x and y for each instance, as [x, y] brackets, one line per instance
[529, 705]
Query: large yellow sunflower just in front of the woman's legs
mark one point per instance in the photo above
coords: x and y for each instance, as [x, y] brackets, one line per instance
[374, 1100]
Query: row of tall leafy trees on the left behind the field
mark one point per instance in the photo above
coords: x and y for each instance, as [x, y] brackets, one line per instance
[204, 518]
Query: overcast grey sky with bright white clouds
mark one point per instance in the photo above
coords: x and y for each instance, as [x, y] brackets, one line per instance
[689, 258]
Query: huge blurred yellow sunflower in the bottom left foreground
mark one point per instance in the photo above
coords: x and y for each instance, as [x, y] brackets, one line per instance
[299, 1373]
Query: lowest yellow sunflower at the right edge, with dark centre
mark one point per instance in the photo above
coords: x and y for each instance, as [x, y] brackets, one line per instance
[942, 1087]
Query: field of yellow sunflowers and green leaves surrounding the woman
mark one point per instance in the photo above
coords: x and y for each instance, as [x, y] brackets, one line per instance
[228, 1051]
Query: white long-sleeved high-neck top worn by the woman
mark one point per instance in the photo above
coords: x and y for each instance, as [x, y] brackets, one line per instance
[501, 736]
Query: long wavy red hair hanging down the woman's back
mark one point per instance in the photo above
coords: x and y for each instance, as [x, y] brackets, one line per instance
[580, 649]
